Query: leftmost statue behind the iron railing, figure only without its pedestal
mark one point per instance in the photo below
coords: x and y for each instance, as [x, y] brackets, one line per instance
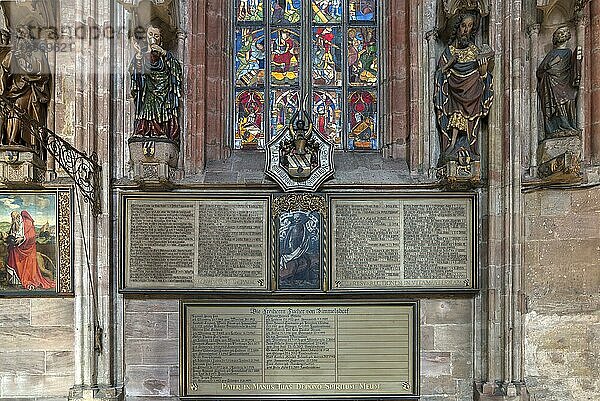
[25, 80]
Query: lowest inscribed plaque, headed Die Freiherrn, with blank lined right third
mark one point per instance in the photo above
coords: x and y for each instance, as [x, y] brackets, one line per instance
[327, 350]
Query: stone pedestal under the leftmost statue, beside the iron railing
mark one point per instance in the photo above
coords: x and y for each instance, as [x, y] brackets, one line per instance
[20, 166]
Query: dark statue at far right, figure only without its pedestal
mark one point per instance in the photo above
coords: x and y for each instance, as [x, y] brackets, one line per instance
[558, 84]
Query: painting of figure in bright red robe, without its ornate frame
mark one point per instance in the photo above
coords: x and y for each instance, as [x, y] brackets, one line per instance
[28, 246]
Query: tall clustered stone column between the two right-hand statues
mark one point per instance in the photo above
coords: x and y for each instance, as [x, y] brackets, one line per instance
[502, 373]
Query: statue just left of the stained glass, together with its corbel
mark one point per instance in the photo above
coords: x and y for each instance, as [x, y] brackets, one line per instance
[157, 90]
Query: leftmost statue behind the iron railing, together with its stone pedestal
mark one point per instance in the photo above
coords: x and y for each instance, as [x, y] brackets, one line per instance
[25, 84]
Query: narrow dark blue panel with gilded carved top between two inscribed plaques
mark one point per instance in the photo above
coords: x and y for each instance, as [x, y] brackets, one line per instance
[299, 223]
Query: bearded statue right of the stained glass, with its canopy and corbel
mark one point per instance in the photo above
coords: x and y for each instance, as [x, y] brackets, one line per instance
[463, 96]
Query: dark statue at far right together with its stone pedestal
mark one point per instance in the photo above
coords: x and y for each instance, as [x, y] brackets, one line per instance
[558, 79]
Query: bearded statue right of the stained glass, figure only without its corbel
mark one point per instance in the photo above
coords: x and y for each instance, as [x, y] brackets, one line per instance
[463, 92]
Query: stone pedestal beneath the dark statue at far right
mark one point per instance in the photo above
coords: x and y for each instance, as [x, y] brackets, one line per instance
[559, 159]
